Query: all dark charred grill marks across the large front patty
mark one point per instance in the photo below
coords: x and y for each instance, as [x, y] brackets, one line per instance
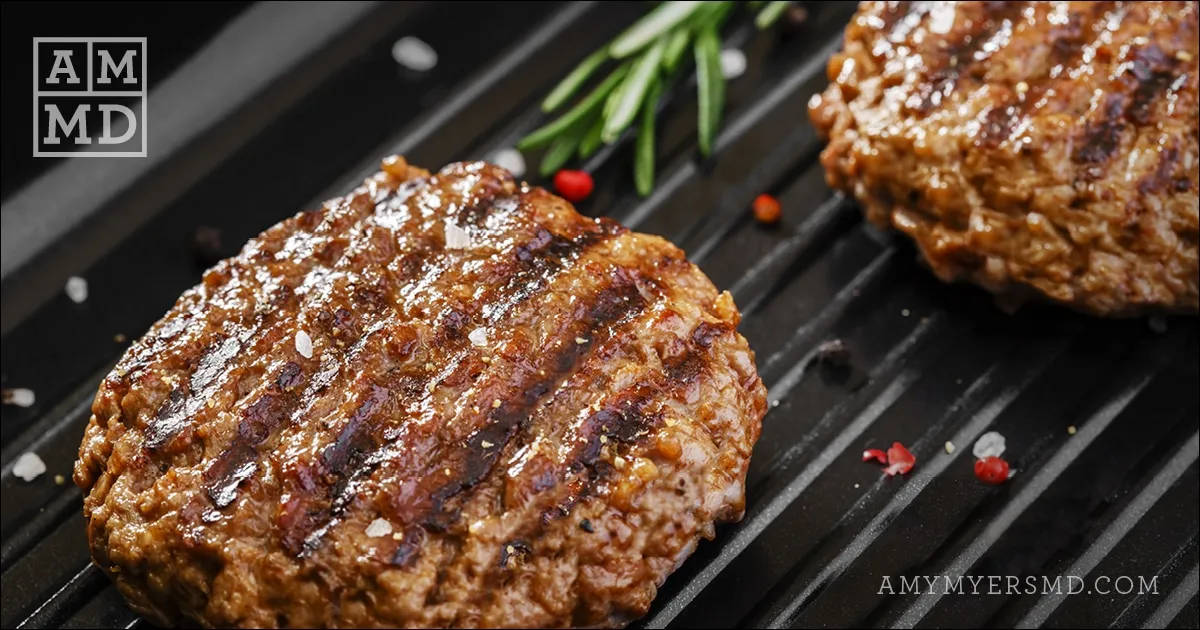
[317, 494]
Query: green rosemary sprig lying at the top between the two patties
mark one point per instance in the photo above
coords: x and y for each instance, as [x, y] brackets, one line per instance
[649, 56]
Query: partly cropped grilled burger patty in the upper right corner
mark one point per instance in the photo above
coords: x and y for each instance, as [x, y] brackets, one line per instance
[1035, 148]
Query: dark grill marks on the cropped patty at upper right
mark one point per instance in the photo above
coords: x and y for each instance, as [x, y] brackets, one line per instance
[975, 45]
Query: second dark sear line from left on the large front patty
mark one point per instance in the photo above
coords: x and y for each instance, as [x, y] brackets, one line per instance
[259, 424]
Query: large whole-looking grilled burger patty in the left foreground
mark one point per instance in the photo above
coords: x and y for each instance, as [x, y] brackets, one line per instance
[442, 400]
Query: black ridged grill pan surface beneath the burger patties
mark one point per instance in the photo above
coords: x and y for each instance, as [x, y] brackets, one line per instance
[931, 363]
